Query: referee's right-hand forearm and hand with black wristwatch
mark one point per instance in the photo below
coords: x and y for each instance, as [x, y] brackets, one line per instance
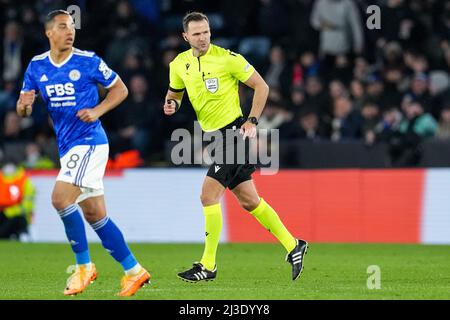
[261, 92]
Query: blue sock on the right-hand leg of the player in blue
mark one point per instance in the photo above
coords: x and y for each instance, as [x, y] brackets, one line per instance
[114, 242]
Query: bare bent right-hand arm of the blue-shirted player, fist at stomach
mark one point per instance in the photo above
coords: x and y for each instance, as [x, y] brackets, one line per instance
[115, 95]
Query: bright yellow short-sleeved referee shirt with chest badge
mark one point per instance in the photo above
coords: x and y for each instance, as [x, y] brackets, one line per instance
[212, 83]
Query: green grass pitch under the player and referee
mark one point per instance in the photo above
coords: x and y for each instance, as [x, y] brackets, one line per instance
[245, 271]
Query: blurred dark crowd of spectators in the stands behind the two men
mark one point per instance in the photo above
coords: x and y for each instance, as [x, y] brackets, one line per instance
[331, 78]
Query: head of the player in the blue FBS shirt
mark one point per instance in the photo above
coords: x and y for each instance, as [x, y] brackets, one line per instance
[62, 33]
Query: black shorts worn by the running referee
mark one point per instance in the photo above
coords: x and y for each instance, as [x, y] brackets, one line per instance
[235, 166]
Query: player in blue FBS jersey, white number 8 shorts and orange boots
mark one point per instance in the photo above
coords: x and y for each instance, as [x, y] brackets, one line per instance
[67, 79]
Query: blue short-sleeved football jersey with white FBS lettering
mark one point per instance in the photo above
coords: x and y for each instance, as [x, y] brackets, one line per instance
[68, 87]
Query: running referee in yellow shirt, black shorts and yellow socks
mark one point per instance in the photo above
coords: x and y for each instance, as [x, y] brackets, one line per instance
[211, 76]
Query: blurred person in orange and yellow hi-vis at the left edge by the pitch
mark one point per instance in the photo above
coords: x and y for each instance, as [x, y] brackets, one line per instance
[16, 202]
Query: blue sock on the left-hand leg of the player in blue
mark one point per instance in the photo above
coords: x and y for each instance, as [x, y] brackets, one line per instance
[76, 234]
